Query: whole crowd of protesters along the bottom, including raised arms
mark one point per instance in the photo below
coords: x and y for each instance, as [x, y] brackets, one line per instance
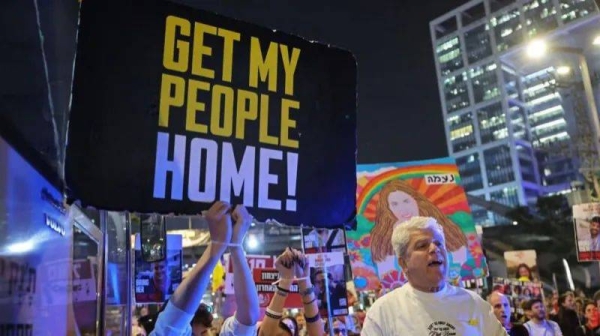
[426, 305]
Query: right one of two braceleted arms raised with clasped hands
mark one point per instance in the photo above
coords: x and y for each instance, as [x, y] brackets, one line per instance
[314, 323]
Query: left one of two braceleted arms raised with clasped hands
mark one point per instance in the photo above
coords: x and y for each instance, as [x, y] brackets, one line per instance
[275, 310]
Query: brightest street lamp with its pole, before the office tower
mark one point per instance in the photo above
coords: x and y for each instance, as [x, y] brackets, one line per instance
[538, 49]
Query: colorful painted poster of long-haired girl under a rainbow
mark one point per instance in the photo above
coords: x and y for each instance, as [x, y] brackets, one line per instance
[390, 193]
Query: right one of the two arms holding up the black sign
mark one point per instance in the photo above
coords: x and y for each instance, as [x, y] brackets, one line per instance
[246, 297]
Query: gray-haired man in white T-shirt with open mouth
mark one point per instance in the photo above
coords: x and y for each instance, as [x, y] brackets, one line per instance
[427, 304]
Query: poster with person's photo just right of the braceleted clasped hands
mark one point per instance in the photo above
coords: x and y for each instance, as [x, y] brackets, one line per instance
[327, 275]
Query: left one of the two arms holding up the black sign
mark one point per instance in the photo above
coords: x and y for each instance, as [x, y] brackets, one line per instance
[182, 305]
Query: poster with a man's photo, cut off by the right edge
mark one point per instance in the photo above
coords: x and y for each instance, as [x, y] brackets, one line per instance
[586, 222]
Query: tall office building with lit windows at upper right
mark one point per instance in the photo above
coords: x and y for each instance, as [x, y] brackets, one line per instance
[504, 122]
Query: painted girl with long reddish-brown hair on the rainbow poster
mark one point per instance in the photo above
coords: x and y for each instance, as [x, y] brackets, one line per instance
[398, 202]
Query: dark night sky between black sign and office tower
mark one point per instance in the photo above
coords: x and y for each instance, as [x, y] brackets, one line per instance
[399, 113]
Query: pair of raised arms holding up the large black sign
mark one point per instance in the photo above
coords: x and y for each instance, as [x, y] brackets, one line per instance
[180, 309]
